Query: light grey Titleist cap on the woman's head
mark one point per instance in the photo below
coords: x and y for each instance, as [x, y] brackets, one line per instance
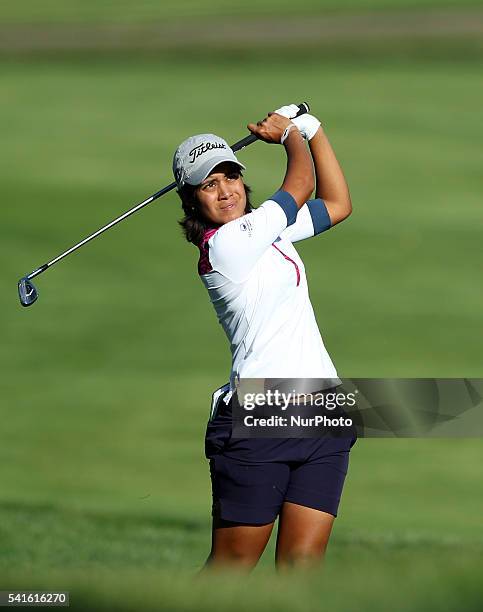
[196, 157]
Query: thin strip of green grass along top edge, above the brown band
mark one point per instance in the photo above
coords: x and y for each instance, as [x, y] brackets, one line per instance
[128, 12]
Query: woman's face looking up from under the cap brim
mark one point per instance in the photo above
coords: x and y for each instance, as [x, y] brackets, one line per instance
[221, 196]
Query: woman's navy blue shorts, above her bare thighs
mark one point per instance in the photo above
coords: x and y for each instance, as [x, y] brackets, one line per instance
[251, 478]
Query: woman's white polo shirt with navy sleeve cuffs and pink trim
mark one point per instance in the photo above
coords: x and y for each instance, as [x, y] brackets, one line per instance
[257, 285]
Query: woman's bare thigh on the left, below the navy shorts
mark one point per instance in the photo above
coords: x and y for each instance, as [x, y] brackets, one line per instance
[236, 545]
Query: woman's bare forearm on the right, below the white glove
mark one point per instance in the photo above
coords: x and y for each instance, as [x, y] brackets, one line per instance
[331, 185]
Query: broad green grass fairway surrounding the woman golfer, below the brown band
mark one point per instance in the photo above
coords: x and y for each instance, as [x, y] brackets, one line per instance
[105, 382]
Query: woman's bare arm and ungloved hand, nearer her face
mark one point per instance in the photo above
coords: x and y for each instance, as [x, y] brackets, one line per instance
[299, 176]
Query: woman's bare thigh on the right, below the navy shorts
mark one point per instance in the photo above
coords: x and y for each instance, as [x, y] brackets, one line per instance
[303, 534]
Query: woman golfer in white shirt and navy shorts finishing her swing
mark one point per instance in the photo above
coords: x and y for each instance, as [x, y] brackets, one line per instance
[256, 282]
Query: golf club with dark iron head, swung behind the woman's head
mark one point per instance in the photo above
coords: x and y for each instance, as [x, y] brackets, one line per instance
[27, 292]
